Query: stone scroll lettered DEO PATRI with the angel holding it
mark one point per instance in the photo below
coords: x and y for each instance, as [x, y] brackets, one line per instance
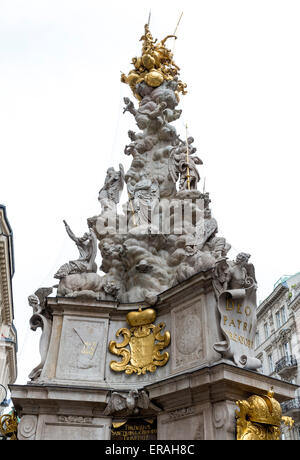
[236, 295]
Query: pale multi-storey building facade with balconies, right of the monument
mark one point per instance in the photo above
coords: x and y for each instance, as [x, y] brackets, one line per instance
[278, 341]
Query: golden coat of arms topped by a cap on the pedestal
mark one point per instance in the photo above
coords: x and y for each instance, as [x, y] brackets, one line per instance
[144, 354]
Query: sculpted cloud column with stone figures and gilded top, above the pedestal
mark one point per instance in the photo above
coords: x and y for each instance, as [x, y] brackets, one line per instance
[146, 258]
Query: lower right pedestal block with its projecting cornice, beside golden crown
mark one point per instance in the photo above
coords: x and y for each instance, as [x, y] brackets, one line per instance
[202, 404]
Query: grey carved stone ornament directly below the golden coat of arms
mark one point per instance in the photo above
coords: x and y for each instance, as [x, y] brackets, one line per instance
[132, 402]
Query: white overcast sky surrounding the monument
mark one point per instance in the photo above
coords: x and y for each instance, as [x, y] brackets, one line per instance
[62, 125]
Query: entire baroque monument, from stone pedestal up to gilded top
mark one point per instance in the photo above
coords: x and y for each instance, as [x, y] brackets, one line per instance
[165, 327]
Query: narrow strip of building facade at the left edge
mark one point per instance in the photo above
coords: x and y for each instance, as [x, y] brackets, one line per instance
[8, 336]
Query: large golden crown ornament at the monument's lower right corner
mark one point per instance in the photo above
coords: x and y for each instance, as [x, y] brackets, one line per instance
[259, 418]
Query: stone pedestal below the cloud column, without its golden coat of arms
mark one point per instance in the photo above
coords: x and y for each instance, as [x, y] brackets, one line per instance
[193, 396]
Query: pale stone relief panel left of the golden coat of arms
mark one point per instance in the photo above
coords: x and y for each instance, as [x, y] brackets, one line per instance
[82, 349]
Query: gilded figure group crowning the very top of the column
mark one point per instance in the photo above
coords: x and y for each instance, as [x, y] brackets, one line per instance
[154, 66]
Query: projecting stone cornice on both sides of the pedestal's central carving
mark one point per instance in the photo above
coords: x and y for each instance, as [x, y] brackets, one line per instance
[218, 382]
